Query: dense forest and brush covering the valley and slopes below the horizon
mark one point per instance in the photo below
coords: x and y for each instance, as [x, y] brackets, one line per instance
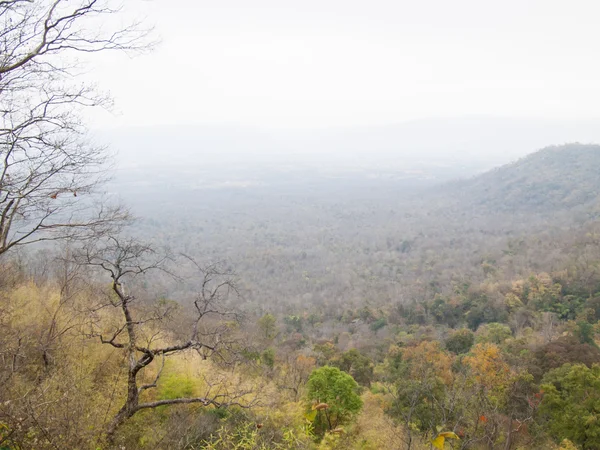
[355, 321]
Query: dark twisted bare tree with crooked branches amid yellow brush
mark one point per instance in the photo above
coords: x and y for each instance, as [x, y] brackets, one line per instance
[208, 334]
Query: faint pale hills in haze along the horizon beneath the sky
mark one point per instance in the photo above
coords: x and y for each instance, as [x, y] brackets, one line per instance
[443, 148]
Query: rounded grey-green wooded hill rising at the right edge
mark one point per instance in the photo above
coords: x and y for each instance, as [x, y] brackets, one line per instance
[555, 178]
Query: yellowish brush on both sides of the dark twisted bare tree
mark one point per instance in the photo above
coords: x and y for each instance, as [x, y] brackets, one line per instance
[78, 382]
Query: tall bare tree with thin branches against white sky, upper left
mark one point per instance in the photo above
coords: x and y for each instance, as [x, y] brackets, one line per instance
[49, 169]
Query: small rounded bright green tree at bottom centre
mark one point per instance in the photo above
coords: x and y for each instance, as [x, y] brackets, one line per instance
[333, 396]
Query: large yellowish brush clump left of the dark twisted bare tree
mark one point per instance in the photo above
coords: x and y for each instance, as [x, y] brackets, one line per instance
[77, 379]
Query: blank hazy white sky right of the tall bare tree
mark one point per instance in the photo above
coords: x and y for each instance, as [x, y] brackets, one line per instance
[320, 63]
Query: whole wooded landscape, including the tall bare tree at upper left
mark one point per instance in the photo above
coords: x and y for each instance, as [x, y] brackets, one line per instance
[279, 307]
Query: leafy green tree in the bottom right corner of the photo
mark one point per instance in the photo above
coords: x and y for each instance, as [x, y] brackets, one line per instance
[571, 404]
